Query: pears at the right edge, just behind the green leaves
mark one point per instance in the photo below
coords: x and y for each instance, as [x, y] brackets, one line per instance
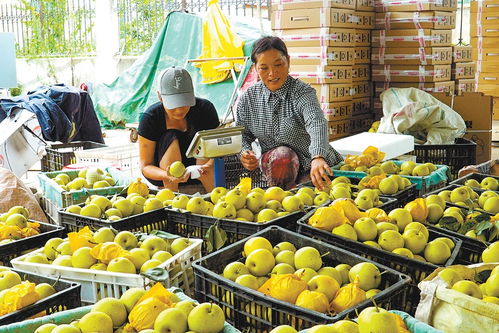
[465, 196]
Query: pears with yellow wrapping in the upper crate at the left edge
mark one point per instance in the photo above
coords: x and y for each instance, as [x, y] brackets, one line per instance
[14, 225]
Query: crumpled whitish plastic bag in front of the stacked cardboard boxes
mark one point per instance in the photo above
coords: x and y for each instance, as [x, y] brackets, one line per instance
[414, 112]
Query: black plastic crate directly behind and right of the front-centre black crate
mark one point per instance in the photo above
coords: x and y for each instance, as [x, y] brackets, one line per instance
[417, 270]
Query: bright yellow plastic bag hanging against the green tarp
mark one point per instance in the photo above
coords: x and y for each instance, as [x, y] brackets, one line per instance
[219, 41]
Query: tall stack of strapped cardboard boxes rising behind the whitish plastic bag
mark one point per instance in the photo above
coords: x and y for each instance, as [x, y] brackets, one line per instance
[412, 46]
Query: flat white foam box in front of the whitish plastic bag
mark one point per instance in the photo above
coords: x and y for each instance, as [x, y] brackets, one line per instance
[392, 144]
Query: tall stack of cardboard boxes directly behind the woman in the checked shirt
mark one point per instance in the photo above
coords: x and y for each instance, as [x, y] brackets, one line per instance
[329, 45]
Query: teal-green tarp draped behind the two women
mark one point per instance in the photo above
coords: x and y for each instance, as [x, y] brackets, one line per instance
[180, 39]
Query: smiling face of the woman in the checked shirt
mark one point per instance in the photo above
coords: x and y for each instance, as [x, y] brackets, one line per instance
[272, 68]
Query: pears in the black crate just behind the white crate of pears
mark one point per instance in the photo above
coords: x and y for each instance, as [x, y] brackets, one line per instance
[118, 207]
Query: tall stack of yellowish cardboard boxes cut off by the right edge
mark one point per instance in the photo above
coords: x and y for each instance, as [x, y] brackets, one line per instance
[484, 21]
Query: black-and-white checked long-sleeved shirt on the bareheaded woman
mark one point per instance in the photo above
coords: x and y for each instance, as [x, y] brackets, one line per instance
[291, 117]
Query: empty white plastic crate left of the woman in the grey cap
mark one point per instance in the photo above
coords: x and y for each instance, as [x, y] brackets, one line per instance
[124, 158]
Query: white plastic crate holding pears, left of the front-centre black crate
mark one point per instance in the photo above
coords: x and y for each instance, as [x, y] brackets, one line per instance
[96, 284]
